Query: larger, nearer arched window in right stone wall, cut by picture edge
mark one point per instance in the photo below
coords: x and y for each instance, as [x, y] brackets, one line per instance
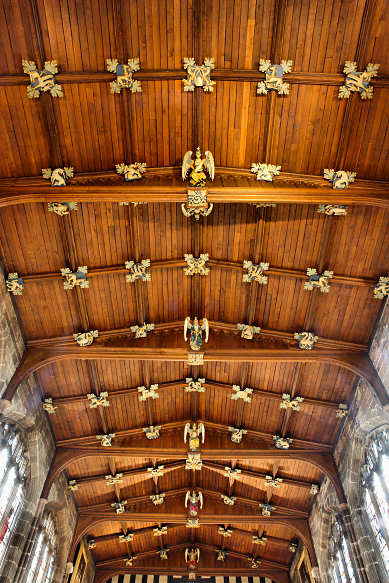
[375, 480]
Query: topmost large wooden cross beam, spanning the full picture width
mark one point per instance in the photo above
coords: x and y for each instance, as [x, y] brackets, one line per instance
[231, 185]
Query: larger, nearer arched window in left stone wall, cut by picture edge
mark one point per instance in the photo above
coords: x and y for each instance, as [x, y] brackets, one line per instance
[13, 466]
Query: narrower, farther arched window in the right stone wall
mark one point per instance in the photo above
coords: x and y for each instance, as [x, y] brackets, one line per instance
[341, 563]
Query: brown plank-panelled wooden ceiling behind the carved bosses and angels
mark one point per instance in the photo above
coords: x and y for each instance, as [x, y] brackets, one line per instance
[92, 130]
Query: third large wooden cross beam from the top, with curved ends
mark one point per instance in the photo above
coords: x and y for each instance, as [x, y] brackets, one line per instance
[66, 456]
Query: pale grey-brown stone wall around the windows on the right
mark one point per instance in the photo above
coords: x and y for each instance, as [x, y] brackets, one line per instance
[365, 416]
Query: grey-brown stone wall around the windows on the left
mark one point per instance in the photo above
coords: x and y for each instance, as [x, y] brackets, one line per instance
[27, 414]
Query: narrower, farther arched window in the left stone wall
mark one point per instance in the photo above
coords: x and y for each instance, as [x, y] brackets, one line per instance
[42, 563]
